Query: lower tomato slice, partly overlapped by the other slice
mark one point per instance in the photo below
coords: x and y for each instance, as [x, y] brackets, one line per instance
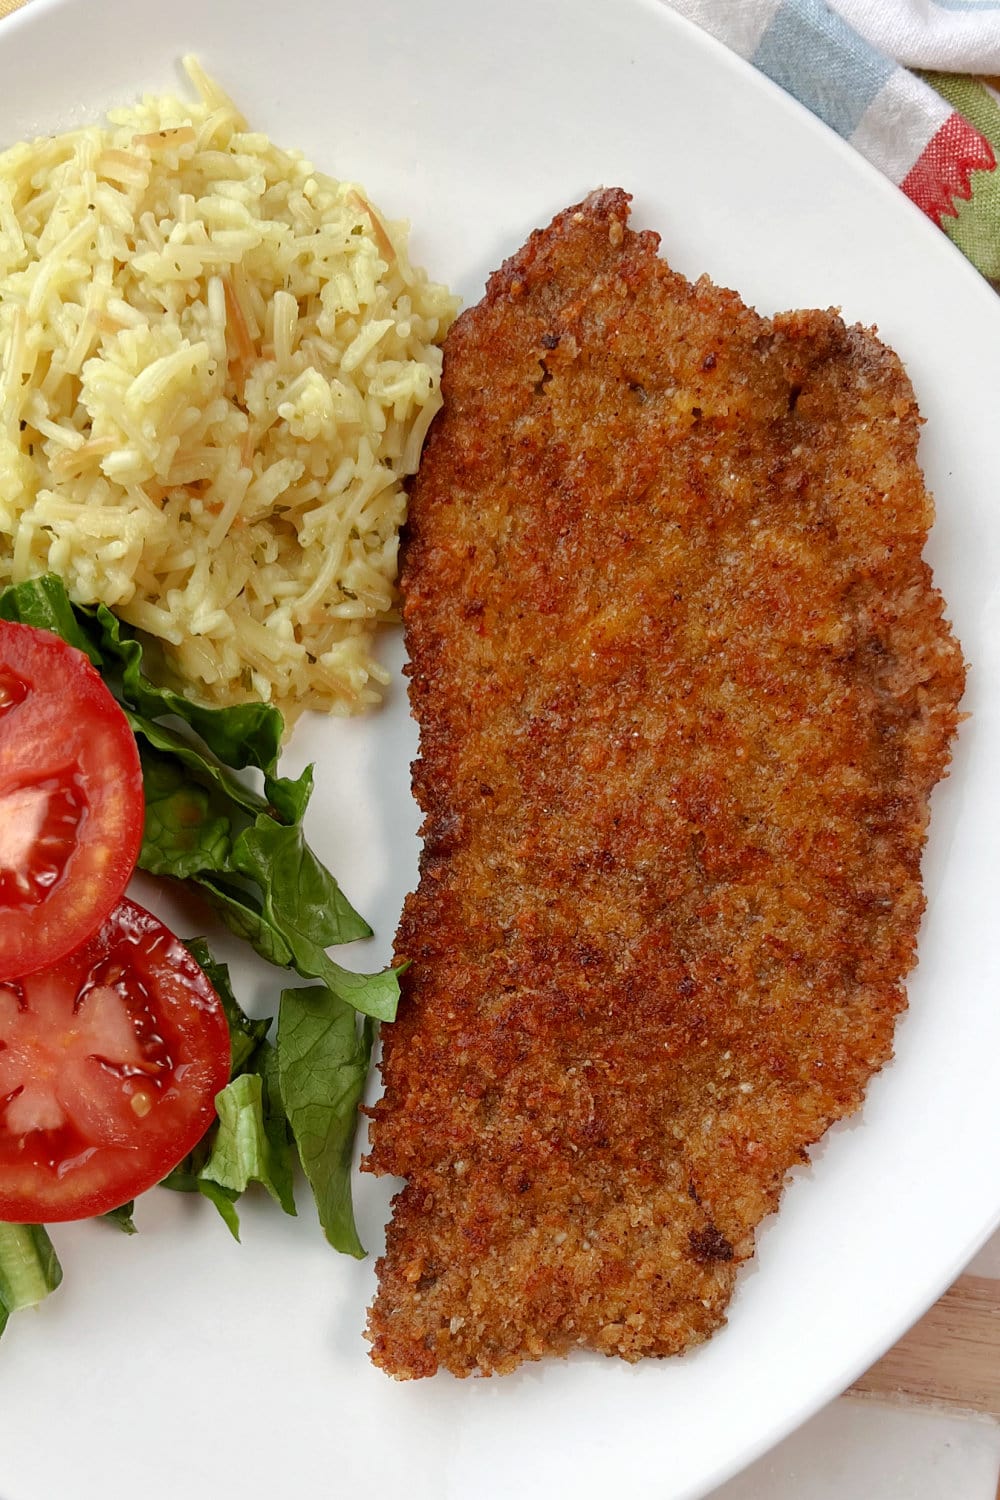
[110, 1064]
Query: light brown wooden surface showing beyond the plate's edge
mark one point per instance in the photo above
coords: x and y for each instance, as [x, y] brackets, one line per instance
[951, 1358]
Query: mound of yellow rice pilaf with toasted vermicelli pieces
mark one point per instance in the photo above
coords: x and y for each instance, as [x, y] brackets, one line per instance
[217, 371]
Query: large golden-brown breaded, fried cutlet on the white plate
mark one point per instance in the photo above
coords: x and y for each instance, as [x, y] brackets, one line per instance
[684, 688]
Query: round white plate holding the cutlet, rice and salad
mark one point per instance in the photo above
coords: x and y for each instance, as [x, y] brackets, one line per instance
[182, 1364]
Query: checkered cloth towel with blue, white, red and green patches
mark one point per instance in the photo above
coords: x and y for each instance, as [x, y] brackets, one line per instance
[936, 134]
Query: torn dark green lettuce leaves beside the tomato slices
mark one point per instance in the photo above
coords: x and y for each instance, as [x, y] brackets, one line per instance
[292, 1099]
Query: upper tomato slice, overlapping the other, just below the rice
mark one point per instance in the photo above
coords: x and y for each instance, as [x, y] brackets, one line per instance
[71, 800]
